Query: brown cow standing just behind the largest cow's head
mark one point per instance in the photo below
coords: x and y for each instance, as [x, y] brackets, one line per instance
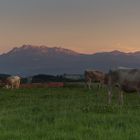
[94, 76]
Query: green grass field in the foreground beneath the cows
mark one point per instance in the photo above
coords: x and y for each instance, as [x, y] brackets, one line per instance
[70, 113]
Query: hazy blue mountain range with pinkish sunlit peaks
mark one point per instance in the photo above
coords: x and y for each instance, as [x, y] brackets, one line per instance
[29, 60]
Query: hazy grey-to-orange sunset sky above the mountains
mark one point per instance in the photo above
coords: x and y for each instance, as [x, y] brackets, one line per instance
[85, 26]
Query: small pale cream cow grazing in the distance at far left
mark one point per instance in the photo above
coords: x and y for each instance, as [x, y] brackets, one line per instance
[12, 82]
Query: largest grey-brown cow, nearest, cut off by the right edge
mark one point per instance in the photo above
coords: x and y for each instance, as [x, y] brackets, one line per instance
[126, 79]
